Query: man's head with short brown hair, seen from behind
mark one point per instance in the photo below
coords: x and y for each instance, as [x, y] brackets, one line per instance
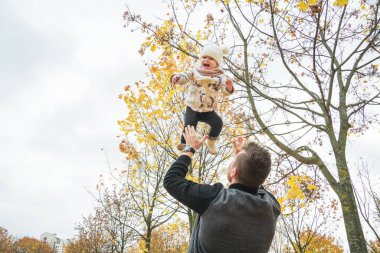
[253, 165]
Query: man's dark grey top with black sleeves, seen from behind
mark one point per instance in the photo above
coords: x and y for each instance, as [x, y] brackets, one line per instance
[238, 219]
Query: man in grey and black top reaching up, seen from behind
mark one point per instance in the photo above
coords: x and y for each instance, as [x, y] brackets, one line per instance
[239, 219]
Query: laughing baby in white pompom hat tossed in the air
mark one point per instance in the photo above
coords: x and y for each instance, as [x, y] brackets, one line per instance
[206, 81]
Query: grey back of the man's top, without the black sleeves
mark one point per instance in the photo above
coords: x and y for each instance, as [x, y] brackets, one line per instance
[236, 221]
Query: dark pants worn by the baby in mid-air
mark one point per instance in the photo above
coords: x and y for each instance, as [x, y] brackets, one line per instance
[192, 118]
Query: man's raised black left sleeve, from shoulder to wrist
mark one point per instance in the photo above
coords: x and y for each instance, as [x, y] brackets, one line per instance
[197, 197]
